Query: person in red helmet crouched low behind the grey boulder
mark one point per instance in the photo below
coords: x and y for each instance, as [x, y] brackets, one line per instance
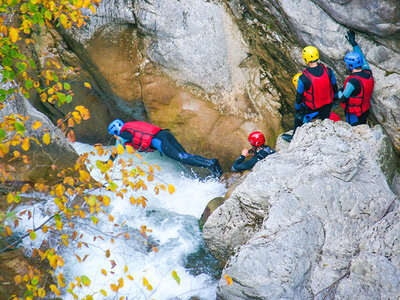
[259, 152]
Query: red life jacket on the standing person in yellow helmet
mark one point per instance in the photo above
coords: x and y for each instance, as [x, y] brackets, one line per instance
[320, 92]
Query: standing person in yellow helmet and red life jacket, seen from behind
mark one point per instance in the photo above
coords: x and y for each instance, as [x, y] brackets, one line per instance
[316, 90]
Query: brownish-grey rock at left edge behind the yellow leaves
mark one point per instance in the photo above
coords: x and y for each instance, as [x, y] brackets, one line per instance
[46, 161]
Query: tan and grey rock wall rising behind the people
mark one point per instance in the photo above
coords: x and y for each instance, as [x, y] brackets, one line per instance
[210, 68]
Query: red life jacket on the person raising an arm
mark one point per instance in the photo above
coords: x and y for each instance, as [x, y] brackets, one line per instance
[360, 103]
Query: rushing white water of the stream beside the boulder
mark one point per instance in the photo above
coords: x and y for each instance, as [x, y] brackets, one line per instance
[173, 220]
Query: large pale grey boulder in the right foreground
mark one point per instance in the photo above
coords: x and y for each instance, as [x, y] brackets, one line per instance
[310, 221]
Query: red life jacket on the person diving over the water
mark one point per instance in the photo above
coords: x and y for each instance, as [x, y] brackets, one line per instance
[142, 133]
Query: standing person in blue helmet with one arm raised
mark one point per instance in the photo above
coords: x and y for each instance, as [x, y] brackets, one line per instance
[355, 96]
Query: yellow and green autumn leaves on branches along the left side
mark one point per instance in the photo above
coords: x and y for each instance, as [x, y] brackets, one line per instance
[72, 195]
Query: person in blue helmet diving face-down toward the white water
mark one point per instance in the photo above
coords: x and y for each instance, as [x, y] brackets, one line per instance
[147, 137]
